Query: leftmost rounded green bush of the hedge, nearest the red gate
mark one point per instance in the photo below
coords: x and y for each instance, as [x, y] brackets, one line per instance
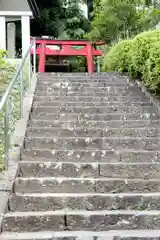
[117, 58]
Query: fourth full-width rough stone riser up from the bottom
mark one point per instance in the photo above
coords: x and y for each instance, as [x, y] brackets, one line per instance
[89, 169]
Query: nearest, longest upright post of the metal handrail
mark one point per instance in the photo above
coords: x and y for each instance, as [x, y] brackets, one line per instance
[6, 130]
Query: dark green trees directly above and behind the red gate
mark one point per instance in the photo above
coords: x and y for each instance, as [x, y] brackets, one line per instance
[61, 19]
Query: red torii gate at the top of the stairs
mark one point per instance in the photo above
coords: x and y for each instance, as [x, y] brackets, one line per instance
[43, 48]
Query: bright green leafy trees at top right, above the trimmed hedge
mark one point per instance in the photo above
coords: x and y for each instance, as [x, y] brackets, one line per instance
[120, 19]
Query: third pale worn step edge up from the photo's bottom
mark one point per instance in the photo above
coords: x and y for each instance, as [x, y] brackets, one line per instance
[63, 195]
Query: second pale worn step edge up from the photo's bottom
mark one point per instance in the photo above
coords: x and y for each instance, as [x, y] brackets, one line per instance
[84, 213]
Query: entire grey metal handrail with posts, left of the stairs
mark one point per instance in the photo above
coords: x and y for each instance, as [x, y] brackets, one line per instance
[4, 103]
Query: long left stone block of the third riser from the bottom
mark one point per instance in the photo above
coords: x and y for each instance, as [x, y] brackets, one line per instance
[56, 185]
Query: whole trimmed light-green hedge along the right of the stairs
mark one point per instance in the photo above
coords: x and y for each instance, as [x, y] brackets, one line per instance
[139, 56]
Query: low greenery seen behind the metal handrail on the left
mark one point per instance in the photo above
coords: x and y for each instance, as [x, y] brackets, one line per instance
[7, 70]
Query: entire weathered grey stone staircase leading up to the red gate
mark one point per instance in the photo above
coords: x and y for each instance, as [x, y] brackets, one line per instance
[90, 166]
